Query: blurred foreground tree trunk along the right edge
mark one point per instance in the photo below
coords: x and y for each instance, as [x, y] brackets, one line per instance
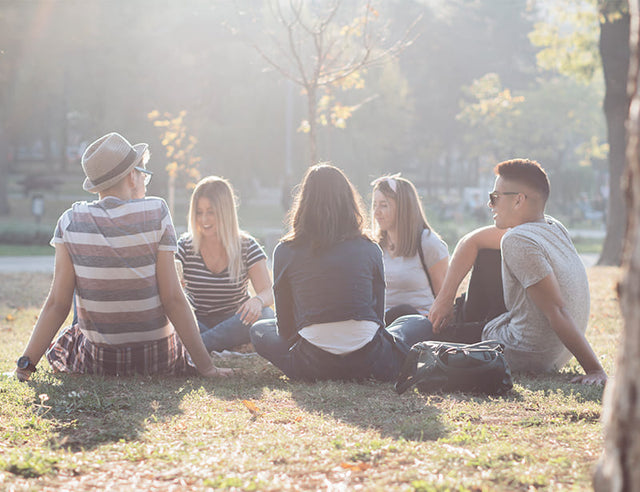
[618, 468]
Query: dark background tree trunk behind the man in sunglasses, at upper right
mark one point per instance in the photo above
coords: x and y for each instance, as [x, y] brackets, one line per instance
[614, 50]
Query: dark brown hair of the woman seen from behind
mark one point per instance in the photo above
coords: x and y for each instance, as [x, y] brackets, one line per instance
[327, 209]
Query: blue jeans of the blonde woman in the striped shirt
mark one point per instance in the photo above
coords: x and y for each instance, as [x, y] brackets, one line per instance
[227, 331]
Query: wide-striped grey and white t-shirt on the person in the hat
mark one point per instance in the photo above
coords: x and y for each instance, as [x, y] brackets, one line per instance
[114, 245]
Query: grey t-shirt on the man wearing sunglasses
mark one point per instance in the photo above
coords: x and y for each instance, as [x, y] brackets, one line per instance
[530, 252]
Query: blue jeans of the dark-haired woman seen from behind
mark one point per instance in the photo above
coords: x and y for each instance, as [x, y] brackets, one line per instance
[379, 359]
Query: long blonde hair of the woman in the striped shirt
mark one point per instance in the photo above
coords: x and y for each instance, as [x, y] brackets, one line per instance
[220, 193]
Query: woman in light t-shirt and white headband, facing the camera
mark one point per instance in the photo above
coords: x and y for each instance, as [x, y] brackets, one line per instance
[401, 229]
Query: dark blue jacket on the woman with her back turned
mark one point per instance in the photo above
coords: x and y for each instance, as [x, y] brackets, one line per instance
[345, 281]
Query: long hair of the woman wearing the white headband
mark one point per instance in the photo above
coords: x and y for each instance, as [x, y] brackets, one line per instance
[410, 217]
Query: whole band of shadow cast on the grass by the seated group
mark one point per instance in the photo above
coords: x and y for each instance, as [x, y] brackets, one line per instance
[89, 411]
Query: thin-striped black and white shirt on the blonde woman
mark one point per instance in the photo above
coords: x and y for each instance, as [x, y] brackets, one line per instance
[216, 293]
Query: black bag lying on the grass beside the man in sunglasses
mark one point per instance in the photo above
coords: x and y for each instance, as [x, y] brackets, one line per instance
[444, 366]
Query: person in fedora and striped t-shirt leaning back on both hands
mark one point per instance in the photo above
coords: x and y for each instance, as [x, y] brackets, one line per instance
[117, 254]
